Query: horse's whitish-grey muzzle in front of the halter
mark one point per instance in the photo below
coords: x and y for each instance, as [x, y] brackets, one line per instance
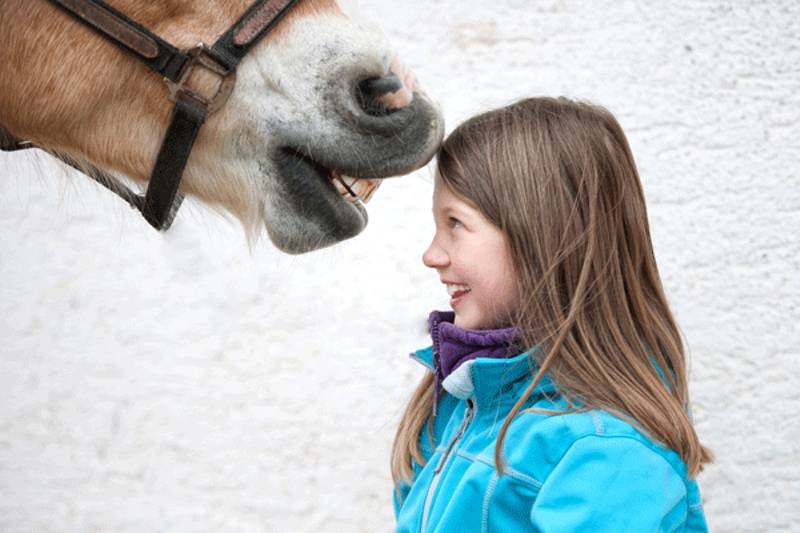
[295, 93]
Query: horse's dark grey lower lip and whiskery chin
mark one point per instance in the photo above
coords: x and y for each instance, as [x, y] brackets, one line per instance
[306, 211]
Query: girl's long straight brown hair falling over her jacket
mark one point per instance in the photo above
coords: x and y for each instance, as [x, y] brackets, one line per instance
[558, 178]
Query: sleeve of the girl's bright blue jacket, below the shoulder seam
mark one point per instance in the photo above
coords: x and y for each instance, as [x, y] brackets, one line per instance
[610, 484]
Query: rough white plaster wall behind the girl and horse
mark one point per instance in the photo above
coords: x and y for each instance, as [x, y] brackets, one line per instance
[180, 382]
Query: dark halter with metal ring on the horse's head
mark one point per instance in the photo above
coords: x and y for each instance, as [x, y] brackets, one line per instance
[161, 201]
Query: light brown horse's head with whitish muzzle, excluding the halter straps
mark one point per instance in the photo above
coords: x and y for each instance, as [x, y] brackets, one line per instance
[320, 107]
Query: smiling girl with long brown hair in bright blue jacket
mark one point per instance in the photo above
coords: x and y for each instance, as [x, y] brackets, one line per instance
[557, 396]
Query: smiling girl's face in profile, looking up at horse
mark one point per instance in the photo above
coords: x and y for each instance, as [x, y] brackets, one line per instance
[471, 256]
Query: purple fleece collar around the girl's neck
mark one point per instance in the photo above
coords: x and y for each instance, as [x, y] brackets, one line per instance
[453, 346]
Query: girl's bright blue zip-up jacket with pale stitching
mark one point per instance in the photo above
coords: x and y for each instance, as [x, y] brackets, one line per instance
[588, 471]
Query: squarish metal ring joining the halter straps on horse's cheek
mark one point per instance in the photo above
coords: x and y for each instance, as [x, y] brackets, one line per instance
[211, 93]
